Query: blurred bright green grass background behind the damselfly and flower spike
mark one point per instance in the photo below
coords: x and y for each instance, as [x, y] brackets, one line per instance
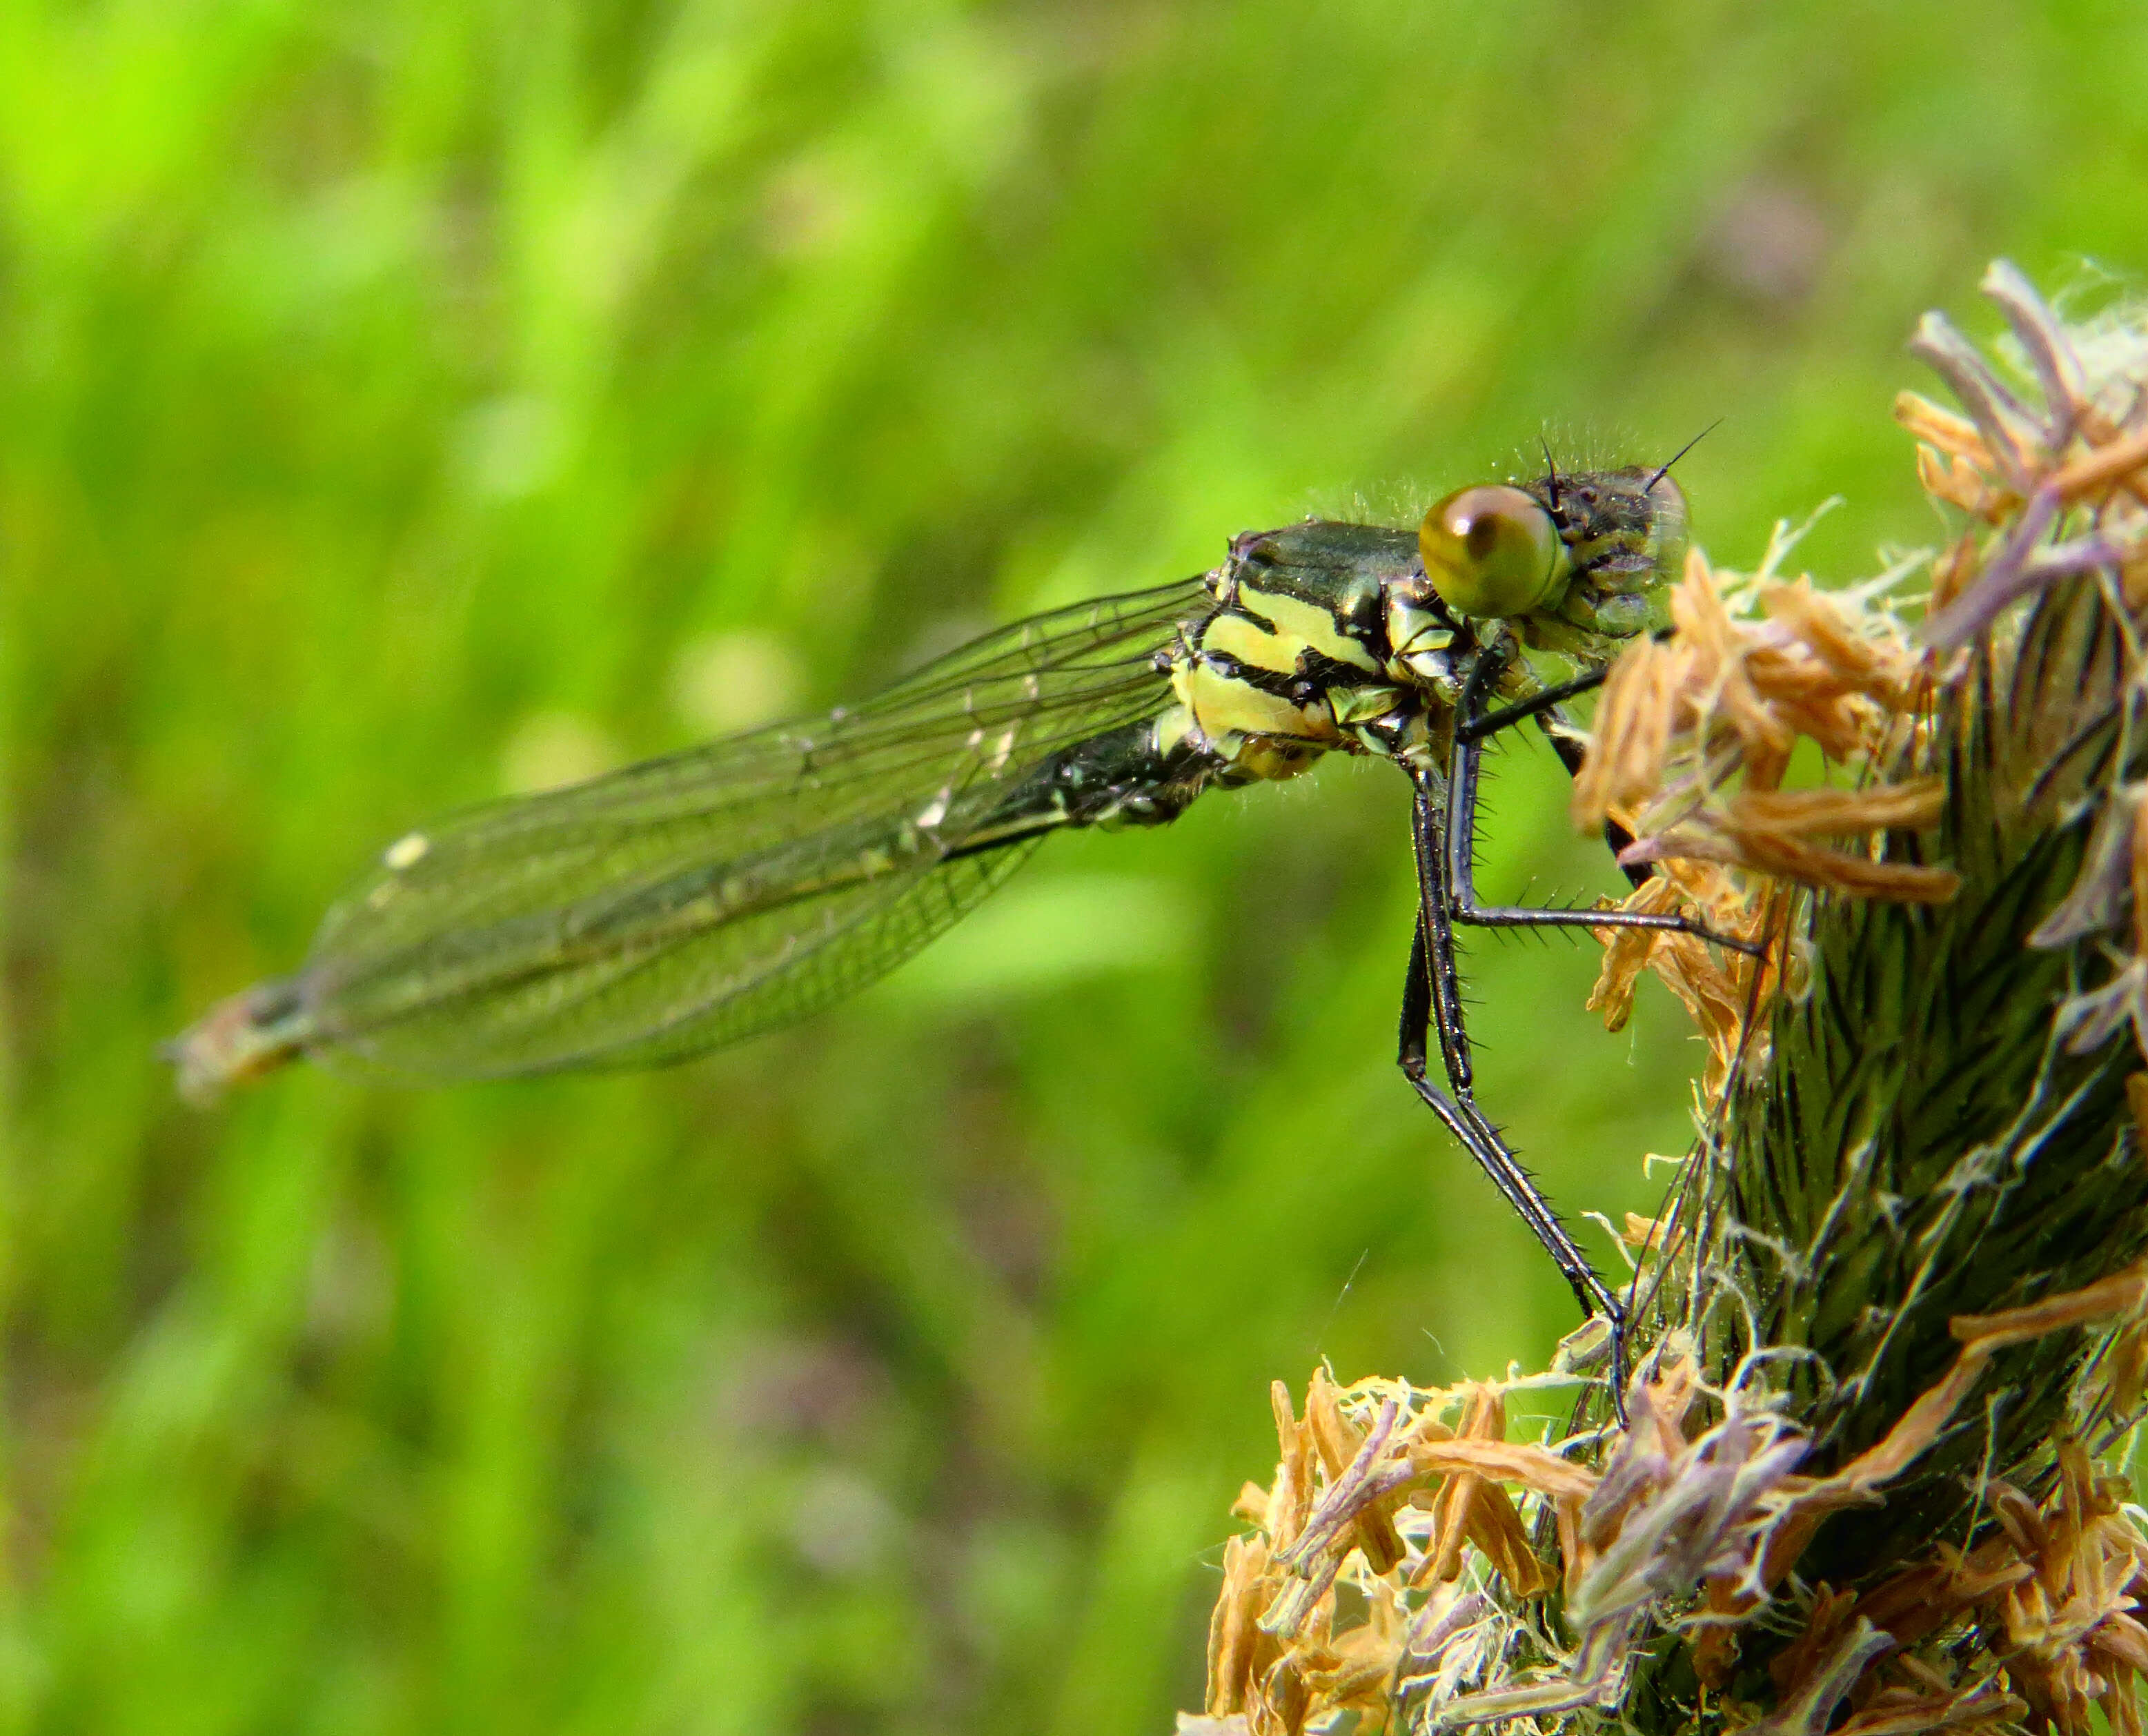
[411, 403]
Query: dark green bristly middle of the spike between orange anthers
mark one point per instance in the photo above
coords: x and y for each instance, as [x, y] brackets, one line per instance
[1921, 1138]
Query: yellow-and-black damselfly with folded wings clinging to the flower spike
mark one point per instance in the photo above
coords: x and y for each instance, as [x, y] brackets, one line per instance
[714, 895]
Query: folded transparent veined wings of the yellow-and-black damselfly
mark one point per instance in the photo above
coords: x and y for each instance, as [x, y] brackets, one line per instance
[712, 895]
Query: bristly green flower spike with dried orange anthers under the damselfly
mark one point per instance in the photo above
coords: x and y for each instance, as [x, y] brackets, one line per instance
[1683, 1542]
